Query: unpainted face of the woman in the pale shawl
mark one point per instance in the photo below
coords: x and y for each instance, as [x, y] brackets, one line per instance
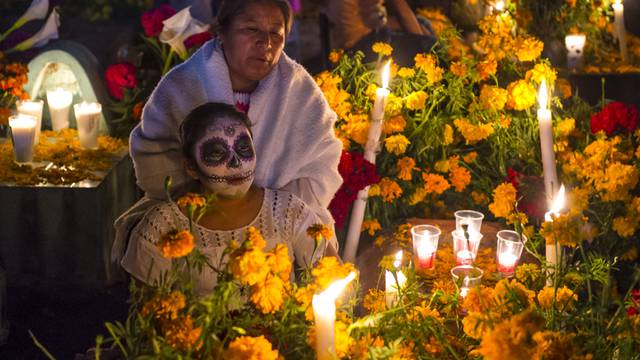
[253, 43]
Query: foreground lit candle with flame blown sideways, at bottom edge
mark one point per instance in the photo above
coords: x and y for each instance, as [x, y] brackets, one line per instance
[324, 311]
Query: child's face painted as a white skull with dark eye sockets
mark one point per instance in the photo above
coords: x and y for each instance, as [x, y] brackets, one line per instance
[225, 158]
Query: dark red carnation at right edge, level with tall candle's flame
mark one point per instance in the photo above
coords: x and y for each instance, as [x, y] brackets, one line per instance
[615, 116]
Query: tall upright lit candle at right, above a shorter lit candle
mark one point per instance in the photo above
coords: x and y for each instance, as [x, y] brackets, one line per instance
[546, 143]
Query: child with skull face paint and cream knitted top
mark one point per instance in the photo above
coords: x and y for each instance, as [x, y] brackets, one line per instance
[217, 143]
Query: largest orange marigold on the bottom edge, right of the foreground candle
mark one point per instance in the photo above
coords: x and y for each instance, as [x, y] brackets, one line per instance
[511, 339]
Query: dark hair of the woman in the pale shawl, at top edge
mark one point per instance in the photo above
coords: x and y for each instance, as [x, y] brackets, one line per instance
[230, 9]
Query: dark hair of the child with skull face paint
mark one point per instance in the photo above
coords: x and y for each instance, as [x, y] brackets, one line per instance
[199, 119]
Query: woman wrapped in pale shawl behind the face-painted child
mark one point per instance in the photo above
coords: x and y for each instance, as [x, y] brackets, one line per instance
[245, 66]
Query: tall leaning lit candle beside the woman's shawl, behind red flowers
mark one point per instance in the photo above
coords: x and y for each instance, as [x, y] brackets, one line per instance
[373, 140]
